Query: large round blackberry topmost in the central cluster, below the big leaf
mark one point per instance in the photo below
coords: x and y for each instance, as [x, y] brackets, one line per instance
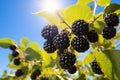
[80, 27]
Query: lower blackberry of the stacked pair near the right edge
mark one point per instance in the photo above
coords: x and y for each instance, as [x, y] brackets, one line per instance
[109, 32]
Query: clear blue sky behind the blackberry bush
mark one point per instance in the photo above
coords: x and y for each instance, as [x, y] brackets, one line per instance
[17, 21]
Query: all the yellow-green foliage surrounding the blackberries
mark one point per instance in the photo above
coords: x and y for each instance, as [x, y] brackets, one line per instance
[104, 51]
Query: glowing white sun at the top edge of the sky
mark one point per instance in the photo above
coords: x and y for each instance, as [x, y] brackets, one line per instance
[50, 5]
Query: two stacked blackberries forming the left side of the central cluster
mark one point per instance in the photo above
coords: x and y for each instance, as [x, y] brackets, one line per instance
[49, 32]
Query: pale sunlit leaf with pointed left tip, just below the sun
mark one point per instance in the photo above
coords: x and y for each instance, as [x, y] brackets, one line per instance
[53, 18]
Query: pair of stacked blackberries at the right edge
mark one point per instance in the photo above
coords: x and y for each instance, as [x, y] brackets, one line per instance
[111, 20]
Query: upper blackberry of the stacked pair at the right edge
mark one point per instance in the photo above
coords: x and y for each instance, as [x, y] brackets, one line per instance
[111, 19]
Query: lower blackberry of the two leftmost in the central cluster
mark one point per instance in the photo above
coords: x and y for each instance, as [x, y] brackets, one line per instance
[49, 46]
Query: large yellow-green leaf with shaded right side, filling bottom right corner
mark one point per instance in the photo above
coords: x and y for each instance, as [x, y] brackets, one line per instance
[112, 60]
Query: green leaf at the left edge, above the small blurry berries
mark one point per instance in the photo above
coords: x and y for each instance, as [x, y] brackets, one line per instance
[6, 42]
